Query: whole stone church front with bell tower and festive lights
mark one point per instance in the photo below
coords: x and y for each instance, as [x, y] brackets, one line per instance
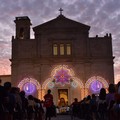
[62, 57]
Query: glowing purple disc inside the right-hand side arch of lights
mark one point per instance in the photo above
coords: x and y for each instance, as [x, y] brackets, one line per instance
[96, 86]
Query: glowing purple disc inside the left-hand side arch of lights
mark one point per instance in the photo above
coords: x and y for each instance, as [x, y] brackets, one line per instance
[29, 88]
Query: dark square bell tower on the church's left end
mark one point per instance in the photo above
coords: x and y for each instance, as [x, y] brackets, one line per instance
[22, 27]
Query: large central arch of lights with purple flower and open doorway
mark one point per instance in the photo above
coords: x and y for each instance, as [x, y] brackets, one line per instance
[64, 85]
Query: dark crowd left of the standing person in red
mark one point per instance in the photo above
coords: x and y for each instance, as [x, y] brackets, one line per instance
[15, 106]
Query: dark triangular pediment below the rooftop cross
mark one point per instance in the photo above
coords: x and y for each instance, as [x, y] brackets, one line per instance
[62, 22]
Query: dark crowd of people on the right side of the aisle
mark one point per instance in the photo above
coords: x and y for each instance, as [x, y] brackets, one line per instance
[105, 106]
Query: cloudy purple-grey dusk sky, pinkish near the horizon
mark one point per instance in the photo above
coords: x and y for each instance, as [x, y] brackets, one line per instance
[102, 15]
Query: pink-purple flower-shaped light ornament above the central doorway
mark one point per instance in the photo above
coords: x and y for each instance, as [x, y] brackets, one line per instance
[62, 76]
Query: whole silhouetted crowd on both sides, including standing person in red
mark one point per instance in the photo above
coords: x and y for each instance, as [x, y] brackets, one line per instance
[15, 106]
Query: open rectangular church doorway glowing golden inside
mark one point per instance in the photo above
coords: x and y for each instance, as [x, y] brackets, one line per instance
[63, 97]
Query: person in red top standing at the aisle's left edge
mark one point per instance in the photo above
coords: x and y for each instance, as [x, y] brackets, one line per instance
[48, 103]
